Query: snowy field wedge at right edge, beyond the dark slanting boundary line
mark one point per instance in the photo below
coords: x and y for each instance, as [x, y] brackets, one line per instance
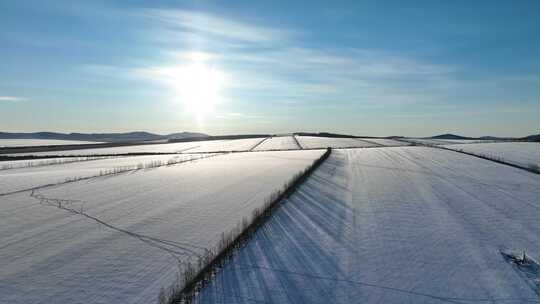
[521, 153]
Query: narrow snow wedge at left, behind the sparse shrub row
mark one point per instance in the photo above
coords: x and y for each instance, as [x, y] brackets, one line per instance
[26, 178]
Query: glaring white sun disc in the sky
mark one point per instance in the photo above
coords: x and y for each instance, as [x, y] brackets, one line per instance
[199, 87]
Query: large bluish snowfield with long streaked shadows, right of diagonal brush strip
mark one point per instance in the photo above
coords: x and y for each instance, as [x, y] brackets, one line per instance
[394, 225]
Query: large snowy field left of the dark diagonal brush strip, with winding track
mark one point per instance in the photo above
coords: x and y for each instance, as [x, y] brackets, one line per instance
[121, 238]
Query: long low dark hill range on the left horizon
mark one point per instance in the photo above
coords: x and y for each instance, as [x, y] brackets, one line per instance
[101, 137]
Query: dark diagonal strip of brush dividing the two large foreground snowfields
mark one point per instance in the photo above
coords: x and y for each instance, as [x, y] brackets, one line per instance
[195, 277]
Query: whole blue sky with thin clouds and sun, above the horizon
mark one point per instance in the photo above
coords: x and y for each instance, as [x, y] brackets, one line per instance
[413, 68]
